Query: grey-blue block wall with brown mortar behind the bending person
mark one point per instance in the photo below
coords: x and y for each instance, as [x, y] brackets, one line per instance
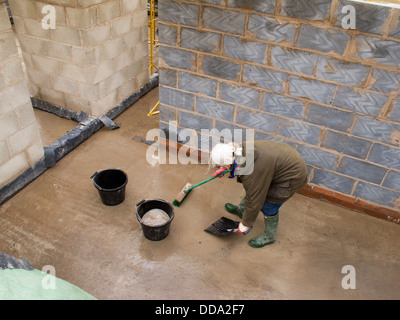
[291, 71]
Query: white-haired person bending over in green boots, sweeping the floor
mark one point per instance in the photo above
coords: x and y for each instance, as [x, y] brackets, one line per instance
[270, 177]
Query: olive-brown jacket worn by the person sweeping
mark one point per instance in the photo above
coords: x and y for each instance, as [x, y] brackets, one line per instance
[279, 172]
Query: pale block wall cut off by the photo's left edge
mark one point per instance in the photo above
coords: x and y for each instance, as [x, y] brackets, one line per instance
[20, 142]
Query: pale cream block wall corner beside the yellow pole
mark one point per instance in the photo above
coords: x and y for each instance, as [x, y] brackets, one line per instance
[94, 58]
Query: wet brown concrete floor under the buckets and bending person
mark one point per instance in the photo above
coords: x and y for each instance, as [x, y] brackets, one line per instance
[59, 220]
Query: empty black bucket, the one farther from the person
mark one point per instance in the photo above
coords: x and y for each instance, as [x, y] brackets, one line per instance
[111, 185]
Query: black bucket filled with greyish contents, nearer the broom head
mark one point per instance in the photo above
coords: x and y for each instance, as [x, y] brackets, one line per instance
[158, 232]
